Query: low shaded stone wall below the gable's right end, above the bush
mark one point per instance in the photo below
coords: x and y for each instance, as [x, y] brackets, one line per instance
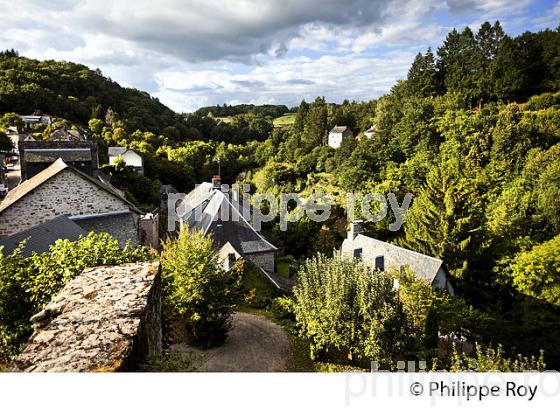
[120, 225]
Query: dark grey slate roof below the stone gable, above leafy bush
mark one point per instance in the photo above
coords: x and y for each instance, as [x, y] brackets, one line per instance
[41, 237]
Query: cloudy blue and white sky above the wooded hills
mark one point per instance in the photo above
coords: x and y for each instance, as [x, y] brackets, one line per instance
[194, 53]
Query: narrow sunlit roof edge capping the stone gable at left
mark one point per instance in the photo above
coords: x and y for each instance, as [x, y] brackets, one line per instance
[55, 168]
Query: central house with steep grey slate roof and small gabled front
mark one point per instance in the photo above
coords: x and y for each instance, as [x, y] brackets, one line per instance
[204, 209]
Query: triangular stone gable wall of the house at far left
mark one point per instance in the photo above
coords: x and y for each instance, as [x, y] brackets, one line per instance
[64, 194]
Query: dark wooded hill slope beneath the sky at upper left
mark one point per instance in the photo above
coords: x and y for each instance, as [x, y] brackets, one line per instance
[74, 92]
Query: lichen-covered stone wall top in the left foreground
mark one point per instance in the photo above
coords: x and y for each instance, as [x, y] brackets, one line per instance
[106, 319]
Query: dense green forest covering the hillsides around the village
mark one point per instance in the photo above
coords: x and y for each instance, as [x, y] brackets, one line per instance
[473, 133]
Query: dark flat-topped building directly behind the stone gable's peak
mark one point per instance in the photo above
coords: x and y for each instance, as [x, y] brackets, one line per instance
[35, 156]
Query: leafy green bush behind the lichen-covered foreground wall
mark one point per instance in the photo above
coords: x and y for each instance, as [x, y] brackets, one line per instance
[27, 284]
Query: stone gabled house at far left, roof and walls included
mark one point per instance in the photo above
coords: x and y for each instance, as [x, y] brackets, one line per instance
[63, 190]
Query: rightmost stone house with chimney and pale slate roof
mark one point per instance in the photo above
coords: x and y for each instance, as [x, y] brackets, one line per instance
[382, 255]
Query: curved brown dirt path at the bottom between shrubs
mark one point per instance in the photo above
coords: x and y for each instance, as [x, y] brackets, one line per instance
[254, 344]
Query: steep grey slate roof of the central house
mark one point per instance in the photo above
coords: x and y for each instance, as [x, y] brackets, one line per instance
[206, 205]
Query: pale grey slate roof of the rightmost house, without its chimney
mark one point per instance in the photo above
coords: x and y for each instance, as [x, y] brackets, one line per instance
[423, 266]
